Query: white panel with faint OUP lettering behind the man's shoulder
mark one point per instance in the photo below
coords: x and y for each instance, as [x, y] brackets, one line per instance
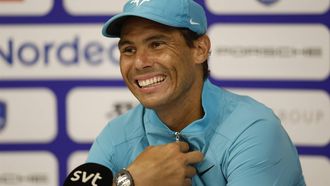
[308, 112]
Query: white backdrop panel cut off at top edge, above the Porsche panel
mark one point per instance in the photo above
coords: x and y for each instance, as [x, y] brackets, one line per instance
[268, 6]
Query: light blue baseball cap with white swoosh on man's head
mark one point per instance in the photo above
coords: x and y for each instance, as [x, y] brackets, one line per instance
[174, 13]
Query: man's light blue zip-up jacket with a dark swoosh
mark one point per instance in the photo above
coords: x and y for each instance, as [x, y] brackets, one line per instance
[242, 140]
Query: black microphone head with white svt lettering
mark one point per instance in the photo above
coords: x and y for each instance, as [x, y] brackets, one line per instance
[89, 174]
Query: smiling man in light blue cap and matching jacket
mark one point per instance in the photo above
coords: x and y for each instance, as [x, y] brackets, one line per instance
[186, 131]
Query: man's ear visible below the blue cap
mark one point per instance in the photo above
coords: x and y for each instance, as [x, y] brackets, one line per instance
[202, 49]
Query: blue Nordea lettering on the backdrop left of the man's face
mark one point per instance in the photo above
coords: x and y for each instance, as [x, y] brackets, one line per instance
[67, 52]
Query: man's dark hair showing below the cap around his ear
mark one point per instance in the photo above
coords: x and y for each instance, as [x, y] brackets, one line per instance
[190, 37]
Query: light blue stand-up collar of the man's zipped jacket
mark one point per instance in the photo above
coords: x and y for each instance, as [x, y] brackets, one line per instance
[198, 133]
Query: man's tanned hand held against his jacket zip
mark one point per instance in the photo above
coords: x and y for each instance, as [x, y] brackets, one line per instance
[164, 165]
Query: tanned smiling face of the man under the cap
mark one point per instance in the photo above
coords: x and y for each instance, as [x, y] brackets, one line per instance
[157, 65]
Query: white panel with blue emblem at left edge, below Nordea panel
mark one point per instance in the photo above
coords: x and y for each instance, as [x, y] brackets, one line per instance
[31, 117]
